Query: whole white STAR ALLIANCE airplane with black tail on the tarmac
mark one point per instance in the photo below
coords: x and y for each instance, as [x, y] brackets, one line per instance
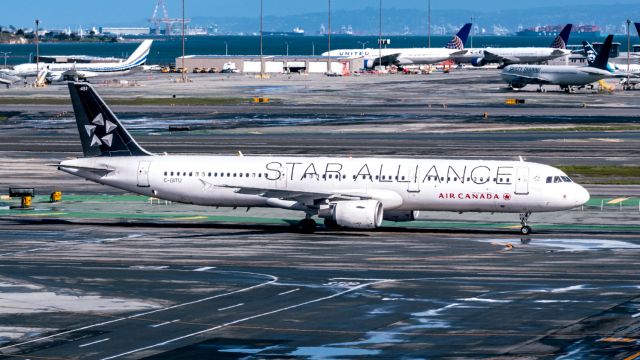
[357, 193]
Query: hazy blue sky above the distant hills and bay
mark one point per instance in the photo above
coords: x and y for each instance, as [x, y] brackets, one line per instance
[122, 12]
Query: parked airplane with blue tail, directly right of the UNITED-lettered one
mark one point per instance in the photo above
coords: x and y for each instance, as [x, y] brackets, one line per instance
[519, 55]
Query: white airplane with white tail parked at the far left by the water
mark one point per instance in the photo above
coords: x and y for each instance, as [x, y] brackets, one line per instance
[61, 72]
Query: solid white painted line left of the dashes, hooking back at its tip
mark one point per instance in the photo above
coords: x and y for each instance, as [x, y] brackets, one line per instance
[273, 280]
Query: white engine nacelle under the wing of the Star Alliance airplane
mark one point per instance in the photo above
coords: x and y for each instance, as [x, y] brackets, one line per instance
[355, 214]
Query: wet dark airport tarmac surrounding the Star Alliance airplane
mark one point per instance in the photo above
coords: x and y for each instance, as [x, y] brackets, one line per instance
[106, 275]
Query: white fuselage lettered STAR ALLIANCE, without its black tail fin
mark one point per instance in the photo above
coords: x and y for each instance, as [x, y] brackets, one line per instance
[399, 184]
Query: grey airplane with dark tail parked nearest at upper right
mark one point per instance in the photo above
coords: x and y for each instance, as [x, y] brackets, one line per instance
[568, 78]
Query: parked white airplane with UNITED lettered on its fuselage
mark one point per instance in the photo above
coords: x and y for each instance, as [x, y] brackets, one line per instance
[408, 56]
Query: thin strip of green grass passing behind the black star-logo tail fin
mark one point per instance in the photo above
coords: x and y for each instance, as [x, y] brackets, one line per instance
[179, 101]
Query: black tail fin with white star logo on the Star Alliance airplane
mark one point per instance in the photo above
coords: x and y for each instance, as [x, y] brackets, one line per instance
[101, 133]
